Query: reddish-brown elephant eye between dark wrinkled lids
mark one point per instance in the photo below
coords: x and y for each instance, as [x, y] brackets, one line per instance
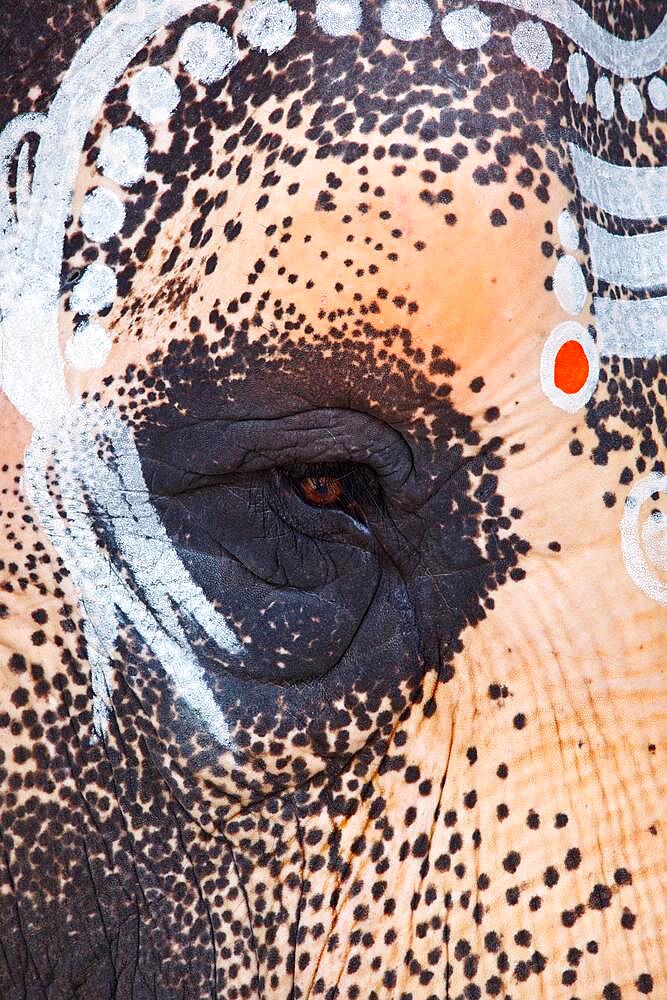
[341, 486]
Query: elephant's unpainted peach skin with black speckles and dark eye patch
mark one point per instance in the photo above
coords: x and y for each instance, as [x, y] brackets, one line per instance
[445, 779]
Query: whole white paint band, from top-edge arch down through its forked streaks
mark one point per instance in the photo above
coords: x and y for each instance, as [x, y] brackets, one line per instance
[31, 250]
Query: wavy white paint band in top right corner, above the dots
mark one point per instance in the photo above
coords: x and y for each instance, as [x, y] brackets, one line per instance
[621, 57]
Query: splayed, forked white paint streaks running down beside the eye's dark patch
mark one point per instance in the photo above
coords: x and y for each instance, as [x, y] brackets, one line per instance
[119, 495]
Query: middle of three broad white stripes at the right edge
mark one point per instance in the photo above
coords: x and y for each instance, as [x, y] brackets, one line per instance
[633, 261]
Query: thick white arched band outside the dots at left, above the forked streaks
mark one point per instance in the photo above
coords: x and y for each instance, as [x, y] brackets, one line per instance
[31, 242]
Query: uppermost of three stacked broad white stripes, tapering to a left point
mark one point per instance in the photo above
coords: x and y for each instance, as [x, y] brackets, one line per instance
[629, 192]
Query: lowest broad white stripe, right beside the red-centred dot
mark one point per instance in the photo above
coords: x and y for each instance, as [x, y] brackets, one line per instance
[631, 329]
